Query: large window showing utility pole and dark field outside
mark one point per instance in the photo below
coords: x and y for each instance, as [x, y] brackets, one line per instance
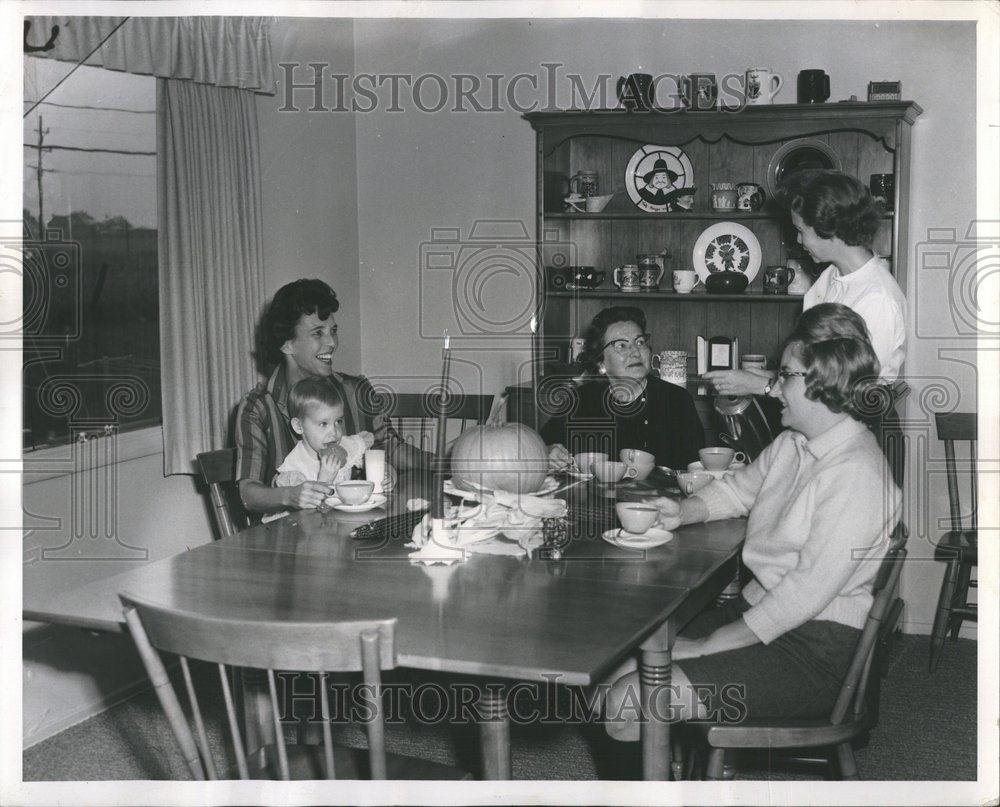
[89, 262]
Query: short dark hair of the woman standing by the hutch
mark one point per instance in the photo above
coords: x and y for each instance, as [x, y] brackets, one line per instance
[834, 204]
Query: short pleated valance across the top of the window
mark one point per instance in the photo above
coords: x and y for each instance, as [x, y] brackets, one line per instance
[222, 51]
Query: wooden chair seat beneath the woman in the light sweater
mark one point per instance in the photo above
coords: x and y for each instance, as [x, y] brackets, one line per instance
[784, 733]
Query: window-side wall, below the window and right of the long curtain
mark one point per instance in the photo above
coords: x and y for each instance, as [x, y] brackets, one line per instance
[310, 216]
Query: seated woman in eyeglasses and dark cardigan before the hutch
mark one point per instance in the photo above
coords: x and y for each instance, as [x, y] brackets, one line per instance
[625, 405]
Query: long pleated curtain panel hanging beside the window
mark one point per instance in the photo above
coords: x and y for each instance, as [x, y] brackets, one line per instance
[210, 255]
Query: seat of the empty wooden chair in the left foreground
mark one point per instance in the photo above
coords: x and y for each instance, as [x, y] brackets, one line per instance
[305, 762]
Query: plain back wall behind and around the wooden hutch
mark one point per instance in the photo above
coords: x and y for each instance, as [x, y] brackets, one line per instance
[418, 171]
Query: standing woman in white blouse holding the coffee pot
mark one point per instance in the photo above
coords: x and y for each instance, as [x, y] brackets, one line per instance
[836, 219]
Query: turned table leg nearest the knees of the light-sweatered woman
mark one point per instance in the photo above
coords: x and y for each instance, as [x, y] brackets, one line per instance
[654, 681]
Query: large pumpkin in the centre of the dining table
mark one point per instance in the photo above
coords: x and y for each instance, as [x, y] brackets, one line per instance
[511, 458]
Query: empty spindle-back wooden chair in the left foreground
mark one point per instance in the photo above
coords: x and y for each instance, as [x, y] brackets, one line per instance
[316, 647]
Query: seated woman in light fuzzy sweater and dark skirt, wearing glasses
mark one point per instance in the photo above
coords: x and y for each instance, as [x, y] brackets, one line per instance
[820, 506]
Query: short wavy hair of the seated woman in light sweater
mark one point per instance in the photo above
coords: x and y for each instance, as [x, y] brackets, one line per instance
[832, 342]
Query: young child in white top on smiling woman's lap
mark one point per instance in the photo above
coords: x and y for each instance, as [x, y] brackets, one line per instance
[325, 453]
